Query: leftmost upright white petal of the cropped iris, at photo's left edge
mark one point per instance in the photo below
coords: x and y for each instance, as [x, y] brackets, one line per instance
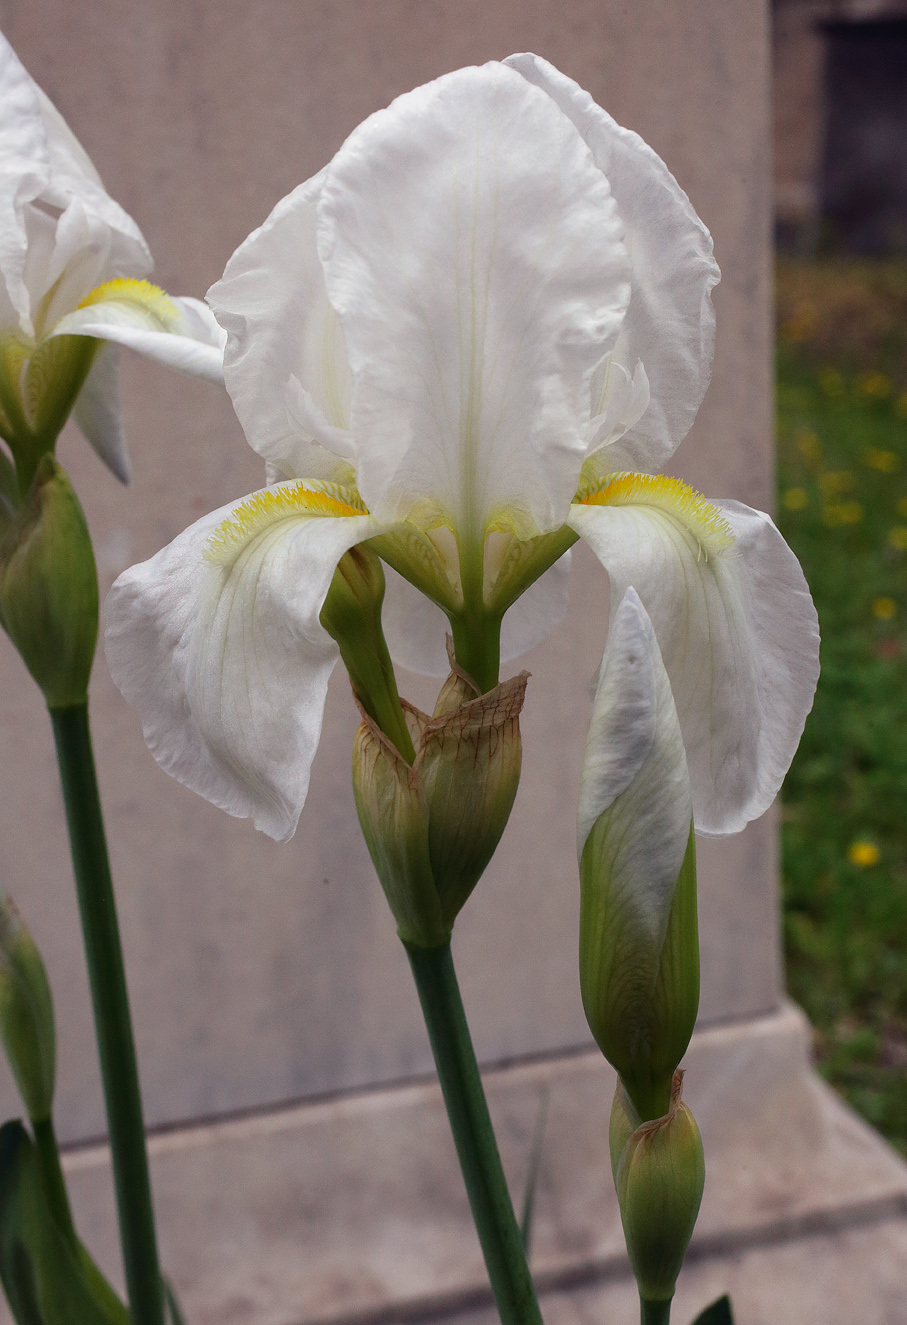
[24, 170]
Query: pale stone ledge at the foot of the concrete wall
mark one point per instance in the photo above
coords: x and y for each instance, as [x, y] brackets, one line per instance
[354, 1210]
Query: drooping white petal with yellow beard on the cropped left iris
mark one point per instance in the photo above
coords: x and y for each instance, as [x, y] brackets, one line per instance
[181, 333]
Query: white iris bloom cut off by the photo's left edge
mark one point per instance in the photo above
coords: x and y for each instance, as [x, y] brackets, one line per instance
[73, 267]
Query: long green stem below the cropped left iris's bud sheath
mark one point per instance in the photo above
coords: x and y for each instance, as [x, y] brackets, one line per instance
[112, 1014]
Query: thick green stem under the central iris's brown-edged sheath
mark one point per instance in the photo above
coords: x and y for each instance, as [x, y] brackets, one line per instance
[477, 1148]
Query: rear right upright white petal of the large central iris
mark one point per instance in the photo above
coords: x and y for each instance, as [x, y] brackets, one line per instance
[671, 324]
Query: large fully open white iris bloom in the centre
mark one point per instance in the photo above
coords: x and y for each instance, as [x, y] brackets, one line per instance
[475, 337]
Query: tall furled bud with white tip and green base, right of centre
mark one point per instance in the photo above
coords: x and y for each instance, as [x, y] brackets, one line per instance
[639, 932]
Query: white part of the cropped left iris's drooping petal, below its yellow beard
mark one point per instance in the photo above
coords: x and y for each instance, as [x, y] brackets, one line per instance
[194, 346]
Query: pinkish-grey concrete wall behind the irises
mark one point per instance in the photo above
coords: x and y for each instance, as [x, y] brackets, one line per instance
[262, 973]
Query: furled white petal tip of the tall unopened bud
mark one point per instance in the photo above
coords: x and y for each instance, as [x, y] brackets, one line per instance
[635, 772]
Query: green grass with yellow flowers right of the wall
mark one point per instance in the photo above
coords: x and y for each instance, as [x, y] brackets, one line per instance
[843, 507]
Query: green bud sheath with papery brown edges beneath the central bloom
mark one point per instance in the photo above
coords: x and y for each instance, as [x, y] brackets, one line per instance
[434, 827]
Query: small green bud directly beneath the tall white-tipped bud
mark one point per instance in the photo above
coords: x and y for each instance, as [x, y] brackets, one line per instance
[660, 1183]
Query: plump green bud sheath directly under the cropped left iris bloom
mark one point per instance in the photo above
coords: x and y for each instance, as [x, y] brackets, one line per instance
[50, 588]
